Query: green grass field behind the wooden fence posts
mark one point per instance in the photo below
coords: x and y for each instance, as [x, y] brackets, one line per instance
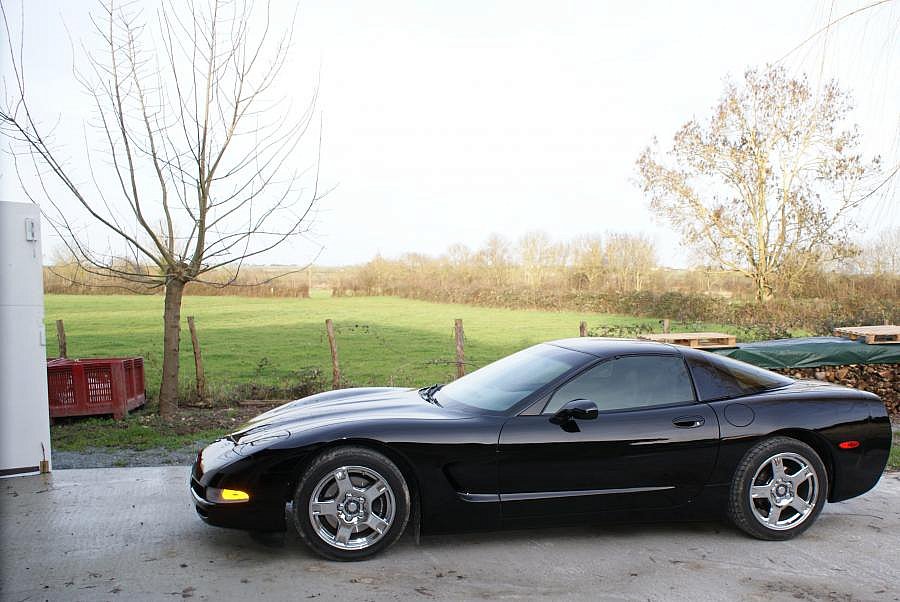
[381, 340]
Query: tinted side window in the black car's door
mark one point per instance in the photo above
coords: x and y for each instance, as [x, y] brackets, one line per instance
[628, 382]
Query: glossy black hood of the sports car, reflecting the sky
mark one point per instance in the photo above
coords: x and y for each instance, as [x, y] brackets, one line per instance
[345, 406]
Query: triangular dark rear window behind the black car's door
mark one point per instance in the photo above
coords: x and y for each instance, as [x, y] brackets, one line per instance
[719, 377]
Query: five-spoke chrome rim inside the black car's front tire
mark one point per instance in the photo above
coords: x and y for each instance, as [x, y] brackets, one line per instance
[352, 507]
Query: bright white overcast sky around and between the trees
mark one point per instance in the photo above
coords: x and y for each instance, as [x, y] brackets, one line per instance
[447, 121]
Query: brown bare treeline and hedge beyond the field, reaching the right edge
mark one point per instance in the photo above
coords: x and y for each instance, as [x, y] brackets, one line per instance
[619, 273]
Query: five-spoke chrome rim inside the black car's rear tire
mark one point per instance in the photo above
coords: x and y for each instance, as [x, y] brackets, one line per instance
[783, 492]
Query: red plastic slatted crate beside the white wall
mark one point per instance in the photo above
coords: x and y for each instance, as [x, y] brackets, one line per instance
[87, 387]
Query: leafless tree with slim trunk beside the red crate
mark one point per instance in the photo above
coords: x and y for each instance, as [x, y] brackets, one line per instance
[194, 171]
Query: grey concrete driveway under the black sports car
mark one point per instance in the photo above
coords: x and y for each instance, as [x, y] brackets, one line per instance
[131, 533]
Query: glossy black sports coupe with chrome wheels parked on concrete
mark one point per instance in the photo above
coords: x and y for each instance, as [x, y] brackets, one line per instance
[568, 431]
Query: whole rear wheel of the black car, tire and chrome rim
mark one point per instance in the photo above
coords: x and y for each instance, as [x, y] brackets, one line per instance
[778, 489]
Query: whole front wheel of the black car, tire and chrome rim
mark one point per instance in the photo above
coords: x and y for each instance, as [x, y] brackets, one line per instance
[351, 503]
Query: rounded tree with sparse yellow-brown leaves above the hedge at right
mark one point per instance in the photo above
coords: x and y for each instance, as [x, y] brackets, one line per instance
[764, 186]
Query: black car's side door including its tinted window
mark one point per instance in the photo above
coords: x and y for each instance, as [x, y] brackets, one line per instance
[652, 444]
